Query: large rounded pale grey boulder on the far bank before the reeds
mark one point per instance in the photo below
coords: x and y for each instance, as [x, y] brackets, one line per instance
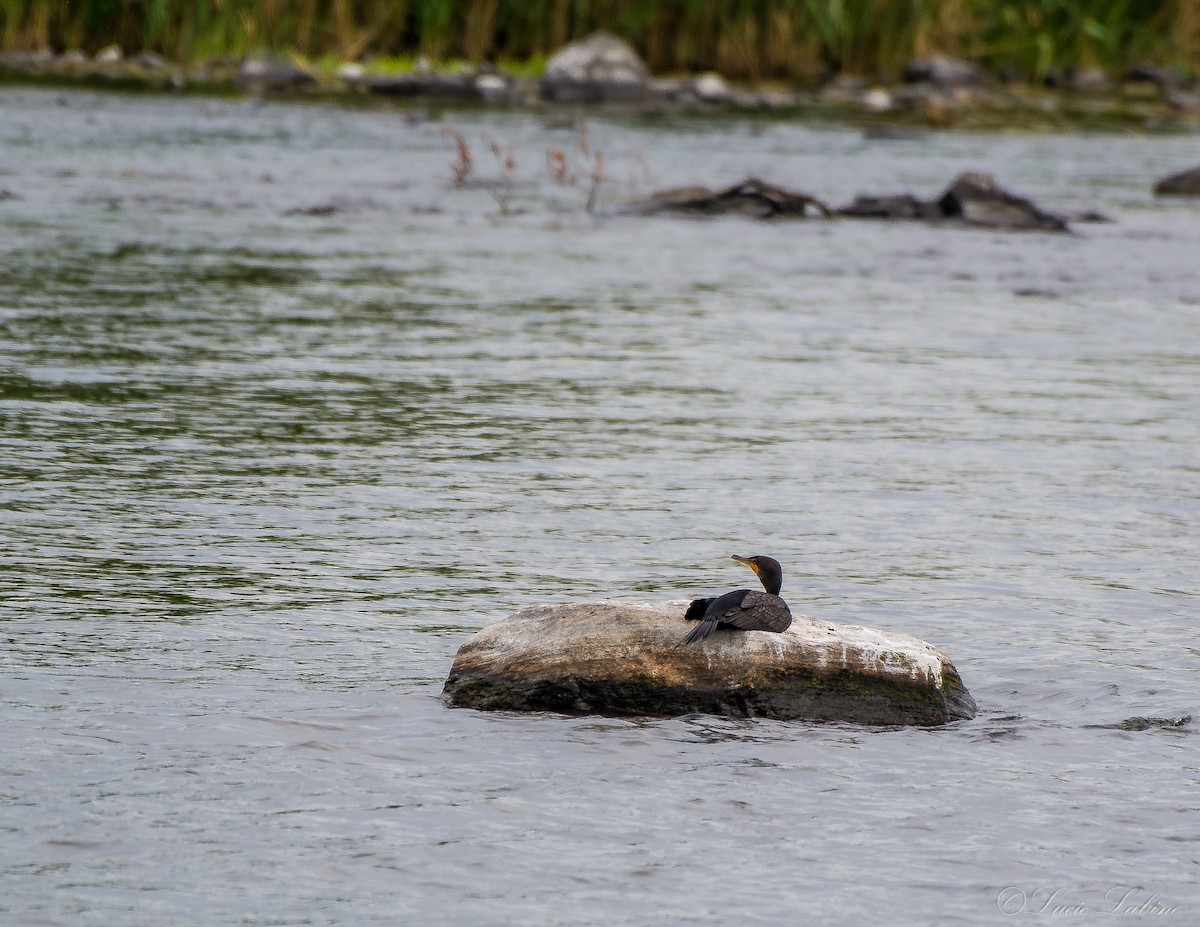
[601, 69]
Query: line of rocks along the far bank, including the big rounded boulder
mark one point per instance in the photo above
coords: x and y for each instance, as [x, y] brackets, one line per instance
[604, 69]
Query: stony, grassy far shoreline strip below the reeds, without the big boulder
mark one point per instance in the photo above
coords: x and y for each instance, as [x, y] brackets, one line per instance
[1137, 105]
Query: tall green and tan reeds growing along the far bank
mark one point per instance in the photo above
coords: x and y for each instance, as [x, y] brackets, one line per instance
[796, 40]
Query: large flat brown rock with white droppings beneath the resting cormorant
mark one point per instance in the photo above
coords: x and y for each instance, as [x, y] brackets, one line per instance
[615, 659]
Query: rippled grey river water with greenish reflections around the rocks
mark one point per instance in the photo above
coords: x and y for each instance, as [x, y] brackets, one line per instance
[285, 418]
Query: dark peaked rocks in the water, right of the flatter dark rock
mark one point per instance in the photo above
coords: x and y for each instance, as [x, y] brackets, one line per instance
[974, 200]
